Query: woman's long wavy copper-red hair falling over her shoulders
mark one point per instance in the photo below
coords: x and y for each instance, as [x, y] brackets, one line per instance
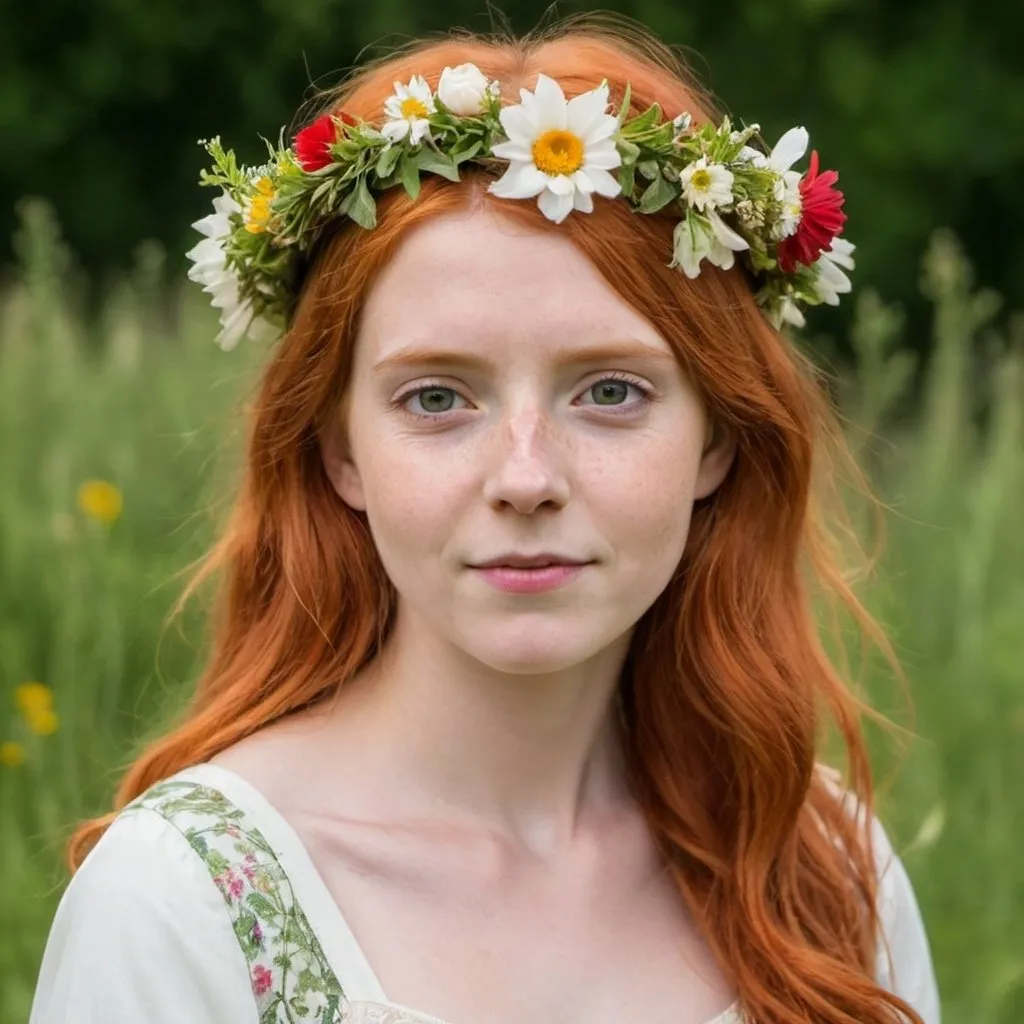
[728, 694]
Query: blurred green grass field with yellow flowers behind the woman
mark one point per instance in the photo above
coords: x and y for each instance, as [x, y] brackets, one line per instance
[119, 449]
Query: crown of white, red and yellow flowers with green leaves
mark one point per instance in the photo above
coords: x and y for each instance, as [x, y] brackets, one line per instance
[731, 197]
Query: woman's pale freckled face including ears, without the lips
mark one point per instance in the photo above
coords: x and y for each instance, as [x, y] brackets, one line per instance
[497, 405]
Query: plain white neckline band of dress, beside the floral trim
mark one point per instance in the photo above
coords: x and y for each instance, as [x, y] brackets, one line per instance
[326, 918]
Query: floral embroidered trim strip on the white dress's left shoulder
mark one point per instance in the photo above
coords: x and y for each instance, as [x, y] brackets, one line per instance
[291, 977]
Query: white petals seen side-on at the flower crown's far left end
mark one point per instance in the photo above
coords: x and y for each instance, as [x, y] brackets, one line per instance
[210, 270]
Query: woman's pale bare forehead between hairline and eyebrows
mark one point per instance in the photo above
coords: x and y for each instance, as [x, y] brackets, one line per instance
[476, 281]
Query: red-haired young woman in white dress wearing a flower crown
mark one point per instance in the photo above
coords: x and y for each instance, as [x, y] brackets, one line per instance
[516, 702]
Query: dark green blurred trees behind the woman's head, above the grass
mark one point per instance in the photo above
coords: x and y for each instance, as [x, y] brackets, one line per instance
[920, 106]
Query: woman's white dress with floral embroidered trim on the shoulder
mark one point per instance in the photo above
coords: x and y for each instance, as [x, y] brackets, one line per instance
[201, 905]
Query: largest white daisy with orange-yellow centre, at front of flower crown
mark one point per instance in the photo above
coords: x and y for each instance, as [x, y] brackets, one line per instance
[560, 152]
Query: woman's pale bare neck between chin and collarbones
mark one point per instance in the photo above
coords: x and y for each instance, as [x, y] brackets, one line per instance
[530, 757]
